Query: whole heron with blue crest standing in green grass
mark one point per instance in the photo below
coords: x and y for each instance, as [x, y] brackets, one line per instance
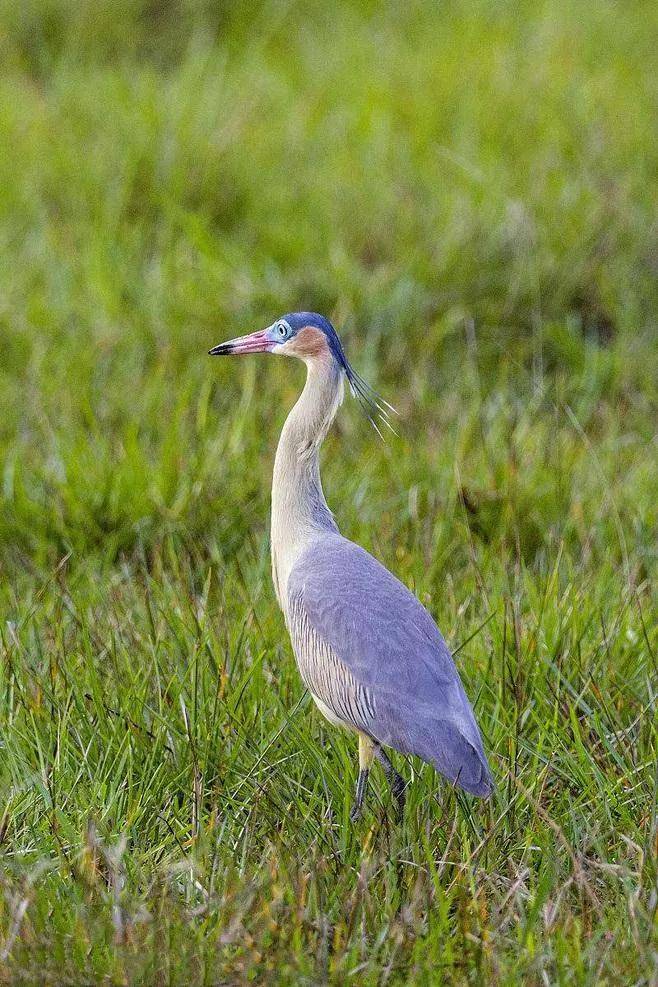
[370, 654]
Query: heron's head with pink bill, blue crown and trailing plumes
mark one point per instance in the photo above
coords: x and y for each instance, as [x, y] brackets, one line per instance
[311, 338]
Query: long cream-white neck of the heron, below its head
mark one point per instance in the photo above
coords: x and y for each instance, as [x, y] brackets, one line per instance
[299, 510]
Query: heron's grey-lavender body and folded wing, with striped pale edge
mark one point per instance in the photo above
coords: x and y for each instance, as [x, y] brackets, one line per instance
[376, 652]
